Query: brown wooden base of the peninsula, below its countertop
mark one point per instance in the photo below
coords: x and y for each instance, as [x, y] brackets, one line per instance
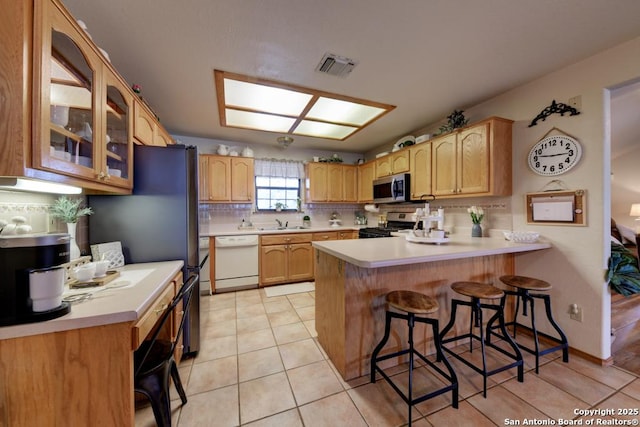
[350, 304]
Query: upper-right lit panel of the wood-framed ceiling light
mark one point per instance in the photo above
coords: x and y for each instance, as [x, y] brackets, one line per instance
[339, 111]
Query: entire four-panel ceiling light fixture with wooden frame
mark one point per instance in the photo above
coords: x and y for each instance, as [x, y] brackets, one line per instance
[259, 104]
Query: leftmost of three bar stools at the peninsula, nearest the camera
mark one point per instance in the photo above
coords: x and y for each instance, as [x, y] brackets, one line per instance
[414, 303]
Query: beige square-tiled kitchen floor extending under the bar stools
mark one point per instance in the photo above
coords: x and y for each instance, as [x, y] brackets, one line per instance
[260, 364]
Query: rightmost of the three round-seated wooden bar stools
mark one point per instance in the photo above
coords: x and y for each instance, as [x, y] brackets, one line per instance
[523, 285]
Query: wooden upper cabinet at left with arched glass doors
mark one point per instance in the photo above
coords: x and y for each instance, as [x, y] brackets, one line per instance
[67, 116]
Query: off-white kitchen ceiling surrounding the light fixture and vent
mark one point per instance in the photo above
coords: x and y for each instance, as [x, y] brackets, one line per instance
[427, 57]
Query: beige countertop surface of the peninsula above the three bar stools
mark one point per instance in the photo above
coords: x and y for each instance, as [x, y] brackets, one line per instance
[391, 251]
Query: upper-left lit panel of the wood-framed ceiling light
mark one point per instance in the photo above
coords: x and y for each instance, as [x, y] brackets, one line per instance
[267, 99]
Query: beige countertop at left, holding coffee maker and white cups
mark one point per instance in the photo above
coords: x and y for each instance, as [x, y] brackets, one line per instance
[140, 285]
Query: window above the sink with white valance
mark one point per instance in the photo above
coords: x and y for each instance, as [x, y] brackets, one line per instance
[271, 191]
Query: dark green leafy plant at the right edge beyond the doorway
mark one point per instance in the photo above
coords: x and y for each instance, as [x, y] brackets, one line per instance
[623, 275]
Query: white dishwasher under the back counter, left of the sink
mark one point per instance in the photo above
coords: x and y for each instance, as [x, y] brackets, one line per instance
[236, 262]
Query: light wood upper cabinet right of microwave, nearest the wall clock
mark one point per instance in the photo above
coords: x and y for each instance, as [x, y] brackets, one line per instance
[473, 161]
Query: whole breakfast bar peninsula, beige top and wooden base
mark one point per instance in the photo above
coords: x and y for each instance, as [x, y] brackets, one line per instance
[353, 276]
